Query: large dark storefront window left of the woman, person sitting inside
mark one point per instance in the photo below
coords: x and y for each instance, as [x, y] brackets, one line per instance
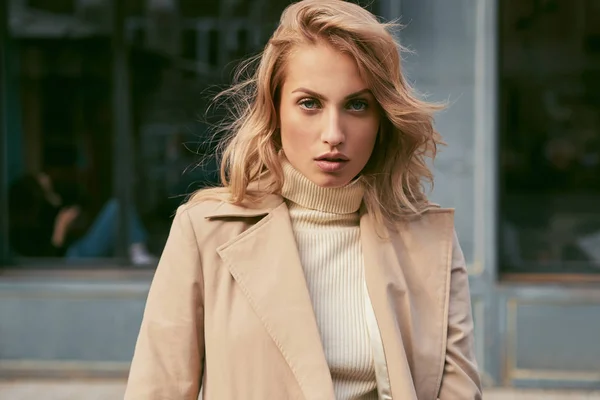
[80, 168]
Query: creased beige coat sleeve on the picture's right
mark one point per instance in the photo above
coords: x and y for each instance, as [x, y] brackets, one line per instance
[460, 379]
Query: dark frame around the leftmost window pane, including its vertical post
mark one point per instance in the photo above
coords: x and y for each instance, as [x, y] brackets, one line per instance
[122, 149]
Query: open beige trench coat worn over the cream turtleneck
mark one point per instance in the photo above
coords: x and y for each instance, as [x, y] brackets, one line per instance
[229, 310]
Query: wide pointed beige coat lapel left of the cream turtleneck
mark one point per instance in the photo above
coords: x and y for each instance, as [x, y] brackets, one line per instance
[265, 263]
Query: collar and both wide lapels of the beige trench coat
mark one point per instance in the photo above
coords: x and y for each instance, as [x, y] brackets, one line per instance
[265, 263]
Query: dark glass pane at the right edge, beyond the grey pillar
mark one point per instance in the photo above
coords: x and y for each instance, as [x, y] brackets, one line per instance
[550, 136]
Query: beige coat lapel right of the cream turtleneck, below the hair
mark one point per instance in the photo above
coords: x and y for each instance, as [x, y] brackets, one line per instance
[407, 278]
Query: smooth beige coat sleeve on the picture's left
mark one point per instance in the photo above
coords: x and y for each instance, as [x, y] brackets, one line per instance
[168, 357]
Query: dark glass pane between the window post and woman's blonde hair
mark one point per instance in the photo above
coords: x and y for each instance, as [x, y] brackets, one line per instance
[177, 64]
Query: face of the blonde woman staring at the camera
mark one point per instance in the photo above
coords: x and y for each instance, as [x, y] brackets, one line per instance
[328, 117]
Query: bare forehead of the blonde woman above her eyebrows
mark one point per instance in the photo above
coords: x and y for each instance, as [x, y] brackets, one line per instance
[320, 67]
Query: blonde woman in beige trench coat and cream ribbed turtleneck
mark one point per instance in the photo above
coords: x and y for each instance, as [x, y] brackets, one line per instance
[320, 270]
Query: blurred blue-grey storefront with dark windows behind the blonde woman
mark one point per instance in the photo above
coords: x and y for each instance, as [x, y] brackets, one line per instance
[104, 124]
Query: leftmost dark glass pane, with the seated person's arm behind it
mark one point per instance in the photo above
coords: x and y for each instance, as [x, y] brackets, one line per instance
[60, 138]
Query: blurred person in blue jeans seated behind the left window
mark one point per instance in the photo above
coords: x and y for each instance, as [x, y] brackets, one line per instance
[41, 224]
